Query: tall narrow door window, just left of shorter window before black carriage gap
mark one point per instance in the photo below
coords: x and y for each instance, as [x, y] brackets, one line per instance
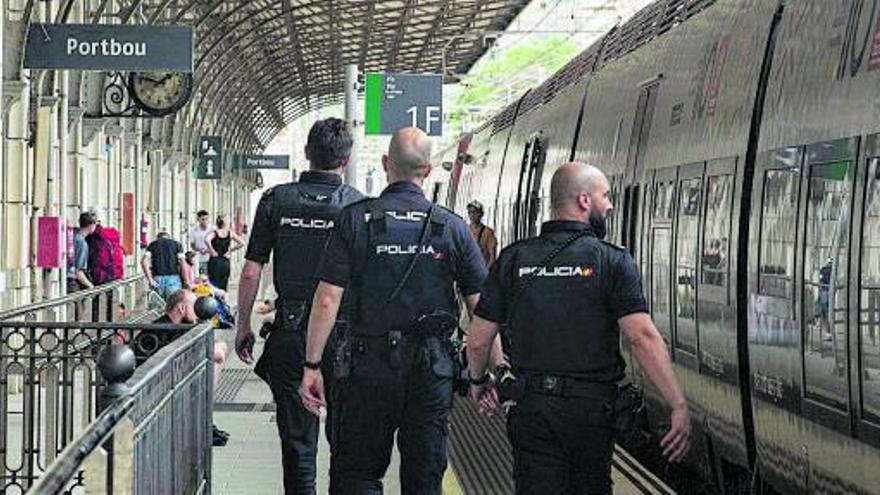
[687, 244]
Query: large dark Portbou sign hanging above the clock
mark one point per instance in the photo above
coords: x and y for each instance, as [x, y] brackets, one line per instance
[106, 47]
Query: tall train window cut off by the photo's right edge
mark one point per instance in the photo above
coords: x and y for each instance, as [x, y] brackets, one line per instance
[869, 297]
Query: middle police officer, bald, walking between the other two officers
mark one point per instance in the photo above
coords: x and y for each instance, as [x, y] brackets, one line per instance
[403, 258]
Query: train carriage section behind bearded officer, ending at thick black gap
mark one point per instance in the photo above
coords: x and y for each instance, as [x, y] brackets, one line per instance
[670, 123]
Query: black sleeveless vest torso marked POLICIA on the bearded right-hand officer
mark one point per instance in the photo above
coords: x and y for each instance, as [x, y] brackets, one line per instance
[562, 323]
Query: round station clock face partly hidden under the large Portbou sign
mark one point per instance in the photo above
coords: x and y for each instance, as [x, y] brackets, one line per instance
[160, 93]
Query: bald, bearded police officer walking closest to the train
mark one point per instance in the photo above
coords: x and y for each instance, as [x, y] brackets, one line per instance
[565, 295]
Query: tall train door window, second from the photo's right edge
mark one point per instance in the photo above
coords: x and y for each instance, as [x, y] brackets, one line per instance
[826, 245]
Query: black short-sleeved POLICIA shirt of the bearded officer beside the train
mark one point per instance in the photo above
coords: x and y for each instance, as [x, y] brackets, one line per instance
[565, 321]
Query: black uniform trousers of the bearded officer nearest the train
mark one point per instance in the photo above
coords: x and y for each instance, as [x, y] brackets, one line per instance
[561, 445]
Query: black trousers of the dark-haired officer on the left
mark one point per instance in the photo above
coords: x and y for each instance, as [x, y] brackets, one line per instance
[297, 428]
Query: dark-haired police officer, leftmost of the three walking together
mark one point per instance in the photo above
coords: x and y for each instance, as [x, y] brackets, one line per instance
[292, 224]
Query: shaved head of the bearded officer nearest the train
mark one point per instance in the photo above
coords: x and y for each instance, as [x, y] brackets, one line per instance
[572, 184]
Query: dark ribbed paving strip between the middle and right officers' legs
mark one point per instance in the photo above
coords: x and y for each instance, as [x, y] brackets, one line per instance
[479, 451]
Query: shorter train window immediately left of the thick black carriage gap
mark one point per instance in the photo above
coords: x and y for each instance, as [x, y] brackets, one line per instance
[714, 264]
